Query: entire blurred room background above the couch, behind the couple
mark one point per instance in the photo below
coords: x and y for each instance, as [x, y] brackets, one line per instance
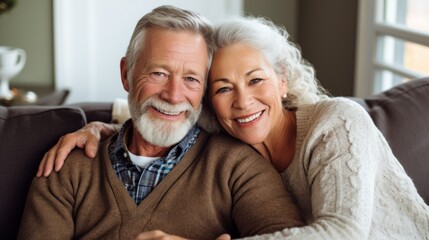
[358, 48]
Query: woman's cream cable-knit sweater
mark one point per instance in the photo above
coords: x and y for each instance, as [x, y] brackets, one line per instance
[347, 181]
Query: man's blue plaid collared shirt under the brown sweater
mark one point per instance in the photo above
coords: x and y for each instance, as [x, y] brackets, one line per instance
[140, 182]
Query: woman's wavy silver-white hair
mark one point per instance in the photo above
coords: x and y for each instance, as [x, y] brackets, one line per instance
[283, 55]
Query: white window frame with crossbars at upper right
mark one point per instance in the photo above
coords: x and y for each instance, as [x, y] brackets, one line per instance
[369, 27]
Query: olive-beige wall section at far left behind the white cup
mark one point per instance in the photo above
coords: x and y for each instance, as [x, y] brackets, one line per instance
[29, 26]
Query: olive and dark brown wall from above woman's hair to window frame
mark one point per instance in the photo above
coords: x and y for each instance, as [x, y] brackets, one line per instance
[326, 33]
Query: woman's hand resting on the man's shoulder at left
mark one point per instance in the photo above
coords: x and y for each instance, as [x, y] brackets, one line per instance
[86, 138]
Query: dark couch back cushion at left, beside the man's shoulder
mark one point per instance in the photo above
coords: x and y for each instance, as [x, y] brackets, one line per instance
[26, 133]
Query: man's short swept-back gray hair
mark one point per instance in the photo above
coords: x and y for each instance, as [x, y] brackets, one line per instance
[171, 18]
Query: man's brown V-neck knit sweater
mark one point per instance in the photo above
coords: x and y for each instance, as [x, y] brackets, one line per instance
[220, 186]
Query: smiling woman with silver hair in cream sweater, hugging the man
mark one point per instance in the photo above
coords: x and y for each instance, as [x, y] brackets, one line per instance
[333, 159]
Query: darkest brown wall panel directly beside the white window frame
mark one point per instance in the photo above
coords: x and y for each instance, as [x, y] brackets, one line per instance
[327, 35]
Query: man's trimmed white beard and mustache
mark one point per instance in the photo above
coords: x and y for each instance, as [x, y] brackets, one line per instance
[162, 133]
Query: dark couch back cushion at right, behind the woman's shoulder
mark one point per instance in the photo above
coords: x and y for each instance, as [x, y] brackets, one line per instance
[402, 115]
